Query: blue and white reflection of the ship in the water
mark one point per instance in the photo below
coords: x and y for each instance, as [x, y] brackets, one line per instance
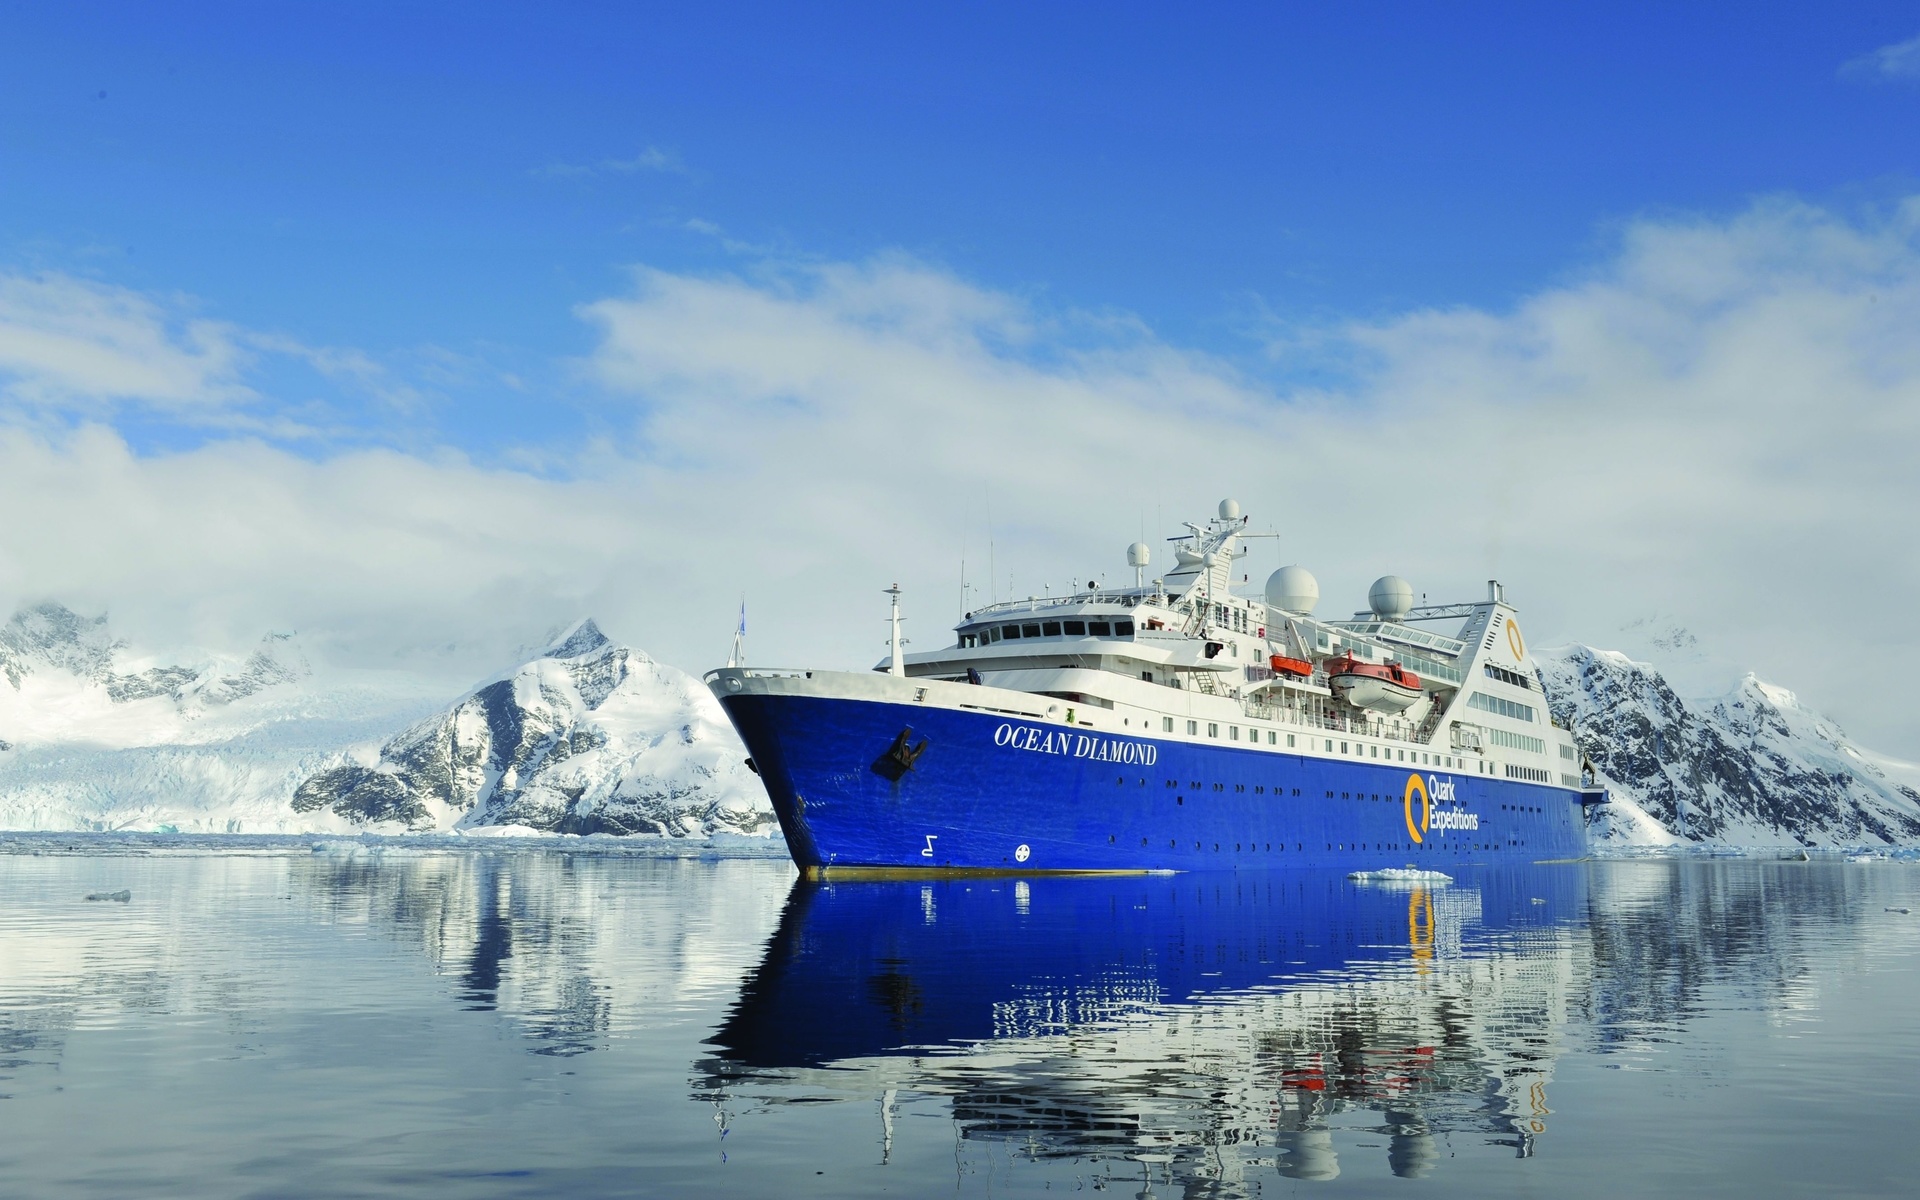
[1209, 1028]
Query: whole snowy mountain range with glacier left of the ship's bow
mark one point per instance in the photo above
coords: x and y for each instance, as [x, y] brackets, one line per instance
[587, 738]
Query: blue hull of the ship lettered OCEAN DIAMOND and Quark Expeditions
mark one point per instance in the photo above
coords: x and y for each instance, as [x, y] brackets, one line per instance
[884, 786]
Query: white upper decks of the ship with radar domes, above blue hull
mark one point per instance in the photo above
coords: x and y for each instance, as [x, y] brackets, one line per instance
[1188, 658]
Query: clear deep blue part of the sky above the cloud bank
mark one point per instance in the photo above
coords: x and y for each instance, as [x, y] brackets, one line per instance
[446, 181]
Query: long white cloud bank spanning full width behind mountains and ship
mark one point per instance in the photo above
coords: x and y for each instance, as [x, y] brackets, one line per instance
[1717, 425]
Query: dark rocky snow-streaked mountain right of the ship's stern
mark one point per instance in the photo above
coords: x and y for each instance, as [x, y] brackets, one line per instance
[1750, 769]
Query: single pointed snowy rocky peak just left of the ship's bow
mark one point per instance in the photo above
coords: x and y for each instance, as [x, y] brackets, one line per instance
[588, 738]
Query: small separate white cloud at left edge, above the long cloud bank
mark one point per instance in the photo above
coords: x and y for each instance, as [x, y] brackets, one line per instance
[64, 339]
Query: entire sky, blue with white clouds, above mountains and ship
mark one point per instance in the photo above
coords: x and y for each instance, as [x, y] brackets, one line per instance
[431, 327]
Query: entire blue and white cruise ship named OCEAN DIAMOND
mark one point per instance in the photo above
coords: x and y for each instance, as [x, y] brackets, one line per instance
[1174, 725]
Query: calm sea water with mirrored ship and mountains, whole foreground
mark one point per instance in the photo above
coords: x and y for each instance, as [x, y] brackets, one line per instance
[525, 1020]
